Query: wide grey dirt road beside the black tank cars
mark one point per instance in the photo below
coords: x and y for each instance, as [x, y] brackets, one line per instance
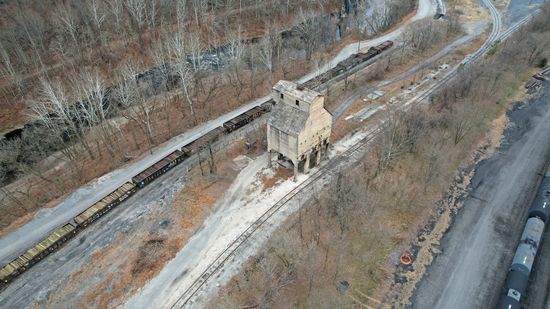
[479, 246]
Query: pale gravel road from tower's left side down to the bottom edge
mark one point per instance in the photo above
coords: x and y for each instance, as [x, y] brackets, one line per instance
[229, 214]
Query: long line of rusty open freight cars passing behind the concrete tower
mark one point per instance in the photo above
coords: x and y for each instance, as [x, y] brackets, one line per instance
[53, 241]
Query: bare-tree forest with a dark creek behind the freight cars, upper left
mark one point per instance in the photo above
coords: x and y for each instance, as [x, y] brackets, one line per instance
[102, 81]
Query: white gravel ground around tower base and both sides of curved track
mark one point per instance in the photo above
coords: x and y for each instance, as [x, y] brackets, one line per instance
[238, 208]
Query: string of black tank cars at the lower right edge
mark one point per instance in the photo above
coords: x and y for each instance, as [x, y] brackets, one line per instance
[517, 280]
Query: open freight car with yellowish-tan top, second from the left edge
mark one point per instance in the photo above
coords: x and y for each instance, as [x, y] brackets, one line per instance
[104, 205]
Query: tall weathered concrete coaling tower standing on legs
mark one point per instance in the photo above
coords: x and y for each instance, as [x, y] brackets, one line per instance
[299, 127]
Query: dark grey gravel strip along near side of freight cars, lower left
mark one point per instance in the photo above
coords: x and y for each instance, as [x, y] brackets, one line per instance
[143, 211]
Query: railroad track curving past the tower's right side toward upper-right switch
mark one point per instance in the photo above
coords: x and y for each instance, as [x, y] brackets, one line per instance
[333, 165]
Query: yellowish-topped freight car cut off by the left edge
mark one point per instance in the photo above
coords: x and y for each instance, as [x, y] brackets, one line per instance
[36, 253]
